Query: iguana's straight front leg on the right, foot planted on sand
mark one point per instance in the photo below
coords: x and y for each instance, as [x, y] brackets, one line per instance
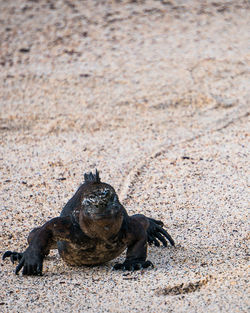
[136, 238]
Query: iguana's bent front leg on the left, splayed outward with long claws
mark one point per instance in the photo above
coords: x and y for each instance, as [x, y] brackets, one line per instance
[43, 239]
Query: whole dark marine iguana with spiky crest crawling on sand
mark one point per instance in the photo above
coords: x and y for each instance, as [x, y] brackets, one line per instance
[93, 228]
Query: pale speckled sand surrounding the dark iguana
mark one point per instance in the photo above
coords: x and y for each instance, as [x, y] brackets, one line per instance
[130, 89]
